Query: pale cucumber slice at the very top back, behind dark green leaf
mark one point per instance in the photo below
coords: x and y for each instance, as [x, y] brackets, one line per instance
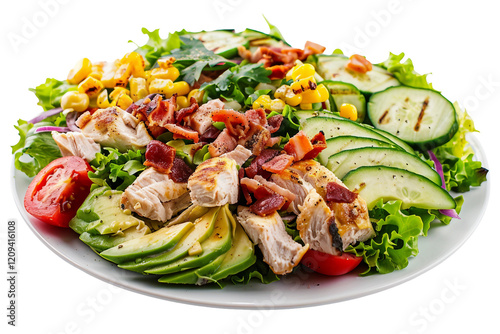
[222, 42]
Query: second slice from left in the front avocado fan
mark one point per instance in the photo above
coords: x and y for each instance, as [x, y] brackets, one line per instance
[203, 228]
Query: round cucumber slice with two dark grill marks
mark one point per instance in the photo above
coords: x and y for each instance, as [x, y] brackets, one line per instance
[421, 117]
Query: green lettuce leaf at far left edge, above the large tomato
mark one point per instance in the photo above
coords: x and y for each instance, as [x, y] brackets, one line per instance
[34, 151]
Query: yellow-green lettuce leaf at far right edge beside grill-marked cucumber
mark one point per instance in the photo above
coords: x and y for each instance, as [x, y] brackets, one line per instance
[460, 169]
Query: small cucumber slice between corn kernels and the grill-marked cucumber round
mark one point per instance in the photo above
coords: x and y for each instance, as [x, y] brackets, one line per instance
[342, 92]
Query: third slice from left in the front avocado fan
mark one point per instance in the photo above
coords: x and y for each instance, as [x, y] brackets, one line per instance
[218, 243]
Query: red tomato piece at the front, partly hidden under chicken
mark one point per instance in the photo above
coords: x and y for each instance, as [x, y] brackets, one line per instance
[328, 264]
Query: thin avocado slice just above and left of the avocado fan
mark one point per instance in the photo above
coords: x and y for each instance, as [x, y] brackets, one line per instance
[103, 242]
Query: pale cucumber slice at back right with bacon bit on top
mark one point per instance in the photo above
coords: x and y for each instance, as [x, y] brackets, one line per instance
[333, 67]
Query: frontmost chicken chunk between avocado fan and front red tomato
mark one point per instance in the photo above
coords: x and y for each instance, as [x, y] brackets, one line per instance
[280, 251]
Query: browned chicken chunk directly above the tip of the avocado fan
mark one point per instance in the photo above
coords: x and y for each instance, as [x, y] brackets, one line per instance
[214, 182]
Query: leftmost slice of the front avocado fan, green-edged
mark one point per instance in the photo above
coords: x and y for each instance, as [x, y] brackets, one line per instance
[156, 242]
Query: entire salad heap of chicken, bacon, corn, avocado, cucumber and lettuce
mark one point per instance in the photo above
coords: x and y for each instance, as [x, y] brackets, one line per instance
[222, 157]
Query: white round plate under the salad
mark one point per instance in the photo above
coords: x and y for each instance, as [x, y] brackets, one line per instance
[297, 290]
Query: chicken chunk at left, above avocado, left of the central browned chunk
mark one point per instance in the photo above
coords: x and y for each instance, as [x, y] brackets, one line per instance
[155, 196]
